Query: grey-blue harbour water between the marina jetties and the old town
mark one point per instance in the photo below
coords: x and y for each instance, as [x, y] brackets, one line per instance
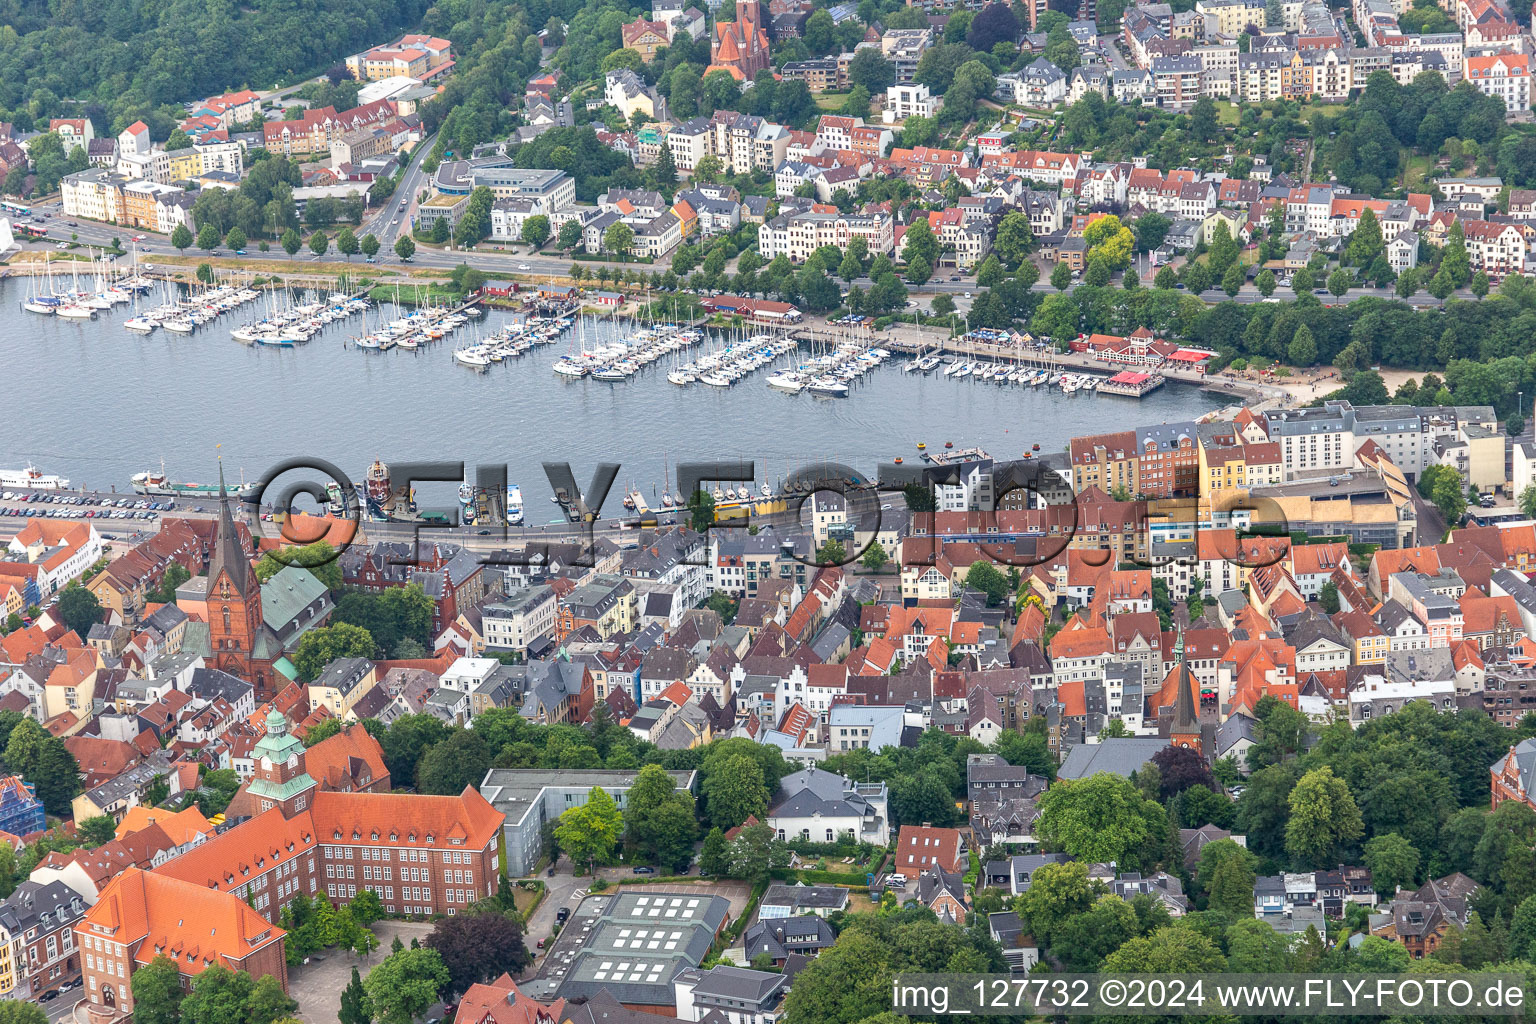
[94, 403]
